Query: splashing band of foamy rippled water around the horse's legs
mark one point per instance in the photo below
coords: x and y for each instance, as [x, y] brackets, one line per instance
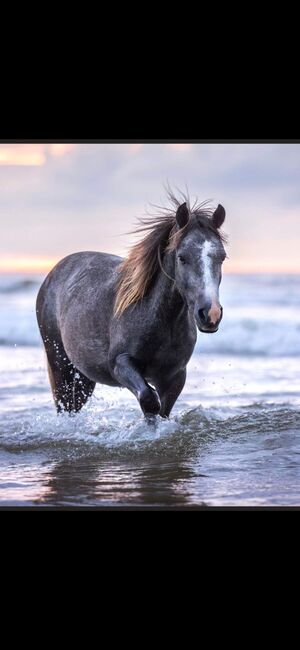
[112, 430]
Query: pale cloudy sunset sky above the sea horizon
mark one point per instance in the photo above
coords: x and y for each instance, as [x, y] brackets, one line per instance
[56, 199]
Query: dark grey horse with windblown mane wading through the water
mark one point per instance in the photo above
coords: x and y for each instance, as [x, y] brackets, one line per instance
[132, 322]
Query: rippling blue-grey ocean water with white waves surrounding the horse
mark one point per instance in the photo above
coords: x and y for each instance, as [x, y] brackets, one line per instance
[233, 437]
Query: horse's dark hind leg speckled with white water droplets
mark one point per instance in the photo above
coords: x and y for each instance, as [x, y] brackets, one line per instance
[70, 388]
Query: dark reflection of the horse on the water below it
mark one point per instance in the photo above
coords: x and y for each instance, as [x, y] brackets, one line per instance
[116, 483]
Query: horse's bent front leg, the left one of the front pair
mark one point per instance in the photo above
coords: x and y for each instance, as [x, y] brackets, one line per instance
[127, 373]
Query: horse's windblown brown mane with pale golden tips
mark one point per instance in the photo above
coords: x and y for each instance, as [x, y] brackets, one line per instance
[139, 269]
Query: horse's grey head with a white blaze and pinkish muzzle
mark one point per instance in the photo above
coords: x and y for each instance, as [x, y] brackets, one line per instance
[198, 268]
